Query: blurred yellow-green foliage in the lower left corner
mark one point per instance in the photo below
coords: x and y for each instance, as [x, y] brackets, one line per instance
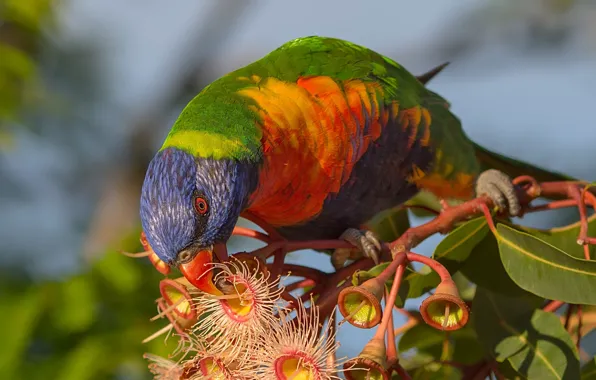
[88, 326]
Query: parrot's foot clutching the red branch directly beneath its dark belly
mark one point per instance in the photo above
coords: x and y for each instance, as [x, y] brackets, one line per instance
[366, 243]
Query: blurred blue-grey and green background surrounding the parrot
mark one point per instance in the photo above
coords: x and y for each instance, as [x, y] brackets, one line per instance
[88, 90]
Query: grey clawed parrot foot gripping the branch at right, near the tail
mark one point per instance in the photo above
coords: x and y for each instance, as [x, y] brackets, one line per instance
[499, 187]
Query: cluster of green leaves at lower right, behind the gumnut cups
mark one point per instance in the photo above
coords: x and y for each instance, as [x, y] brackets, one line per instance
[508, 276]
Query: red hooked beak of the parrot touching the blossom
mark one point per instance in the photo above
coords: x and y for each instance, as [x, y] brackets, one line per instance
[199, 272]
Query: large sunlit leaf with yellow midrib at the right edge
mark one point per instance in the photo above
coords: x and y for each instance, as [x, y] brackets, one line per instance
[544, 270]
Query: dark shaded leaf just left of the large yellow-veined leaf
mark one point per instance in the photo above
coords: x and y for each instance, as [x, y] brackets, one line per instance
[485, 269]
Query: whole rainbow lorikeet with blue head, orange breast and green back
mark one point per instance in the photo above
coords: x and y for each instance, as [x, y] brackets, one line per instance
[315, 138]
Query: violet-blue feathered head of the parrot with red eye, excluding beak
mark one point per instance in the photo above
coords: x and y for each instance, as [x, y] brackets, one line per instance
[190, 204]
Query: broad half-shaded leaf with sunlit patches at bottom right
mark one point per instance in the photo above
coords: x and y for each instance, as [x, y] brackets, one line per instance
[533, 341]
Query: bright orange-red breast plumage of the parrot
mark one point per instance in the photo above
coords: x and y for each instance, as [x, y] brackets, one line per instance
[314, 131]
